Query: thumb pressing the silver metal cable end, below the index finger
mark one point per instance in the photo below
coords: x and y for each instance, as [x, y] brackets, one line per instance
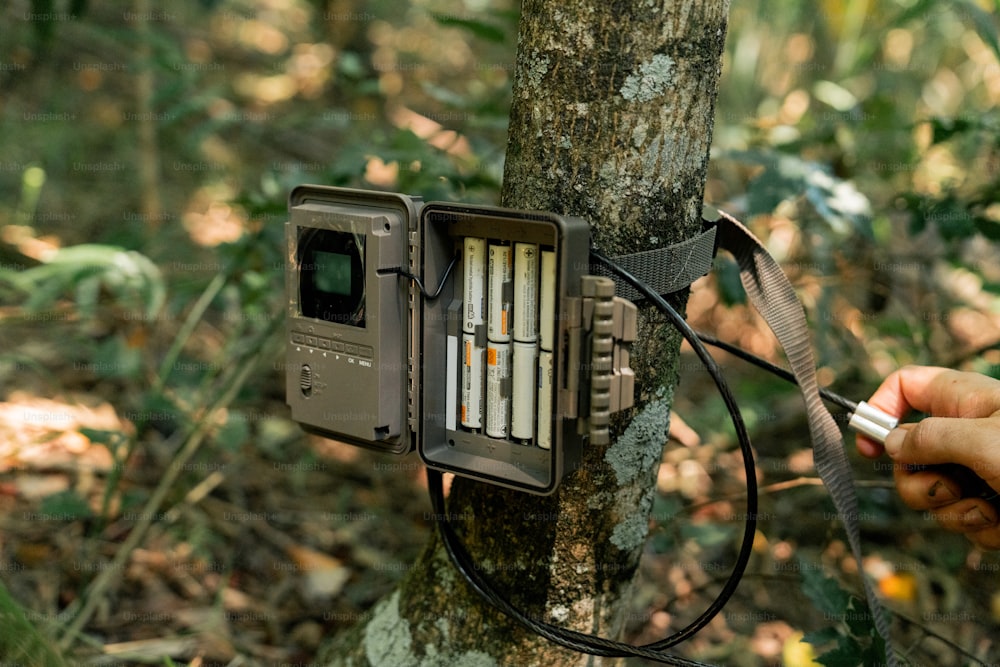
[973, 443]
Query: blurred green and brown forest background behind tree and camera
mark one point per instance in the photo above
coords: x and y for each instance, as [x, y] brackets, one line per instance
[157, 504]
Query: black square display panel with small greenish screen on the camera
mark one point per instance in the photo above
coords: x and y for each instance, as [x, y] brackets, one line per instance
[332, 276]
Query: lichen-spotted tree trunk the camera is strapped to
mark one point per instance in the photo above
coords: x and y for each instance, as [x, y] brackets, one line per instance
[612, 122]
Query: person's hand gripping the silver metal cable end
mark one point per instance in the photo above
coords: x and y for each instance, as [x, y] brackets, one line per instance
[943, 463]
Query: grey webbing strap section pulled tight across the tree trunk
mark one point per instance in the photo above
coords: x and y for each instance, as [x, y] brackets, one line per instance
[687, 261]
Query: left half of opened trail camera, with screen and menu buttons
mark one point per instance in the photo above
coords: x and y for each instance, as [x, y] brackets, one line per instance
[348, 321]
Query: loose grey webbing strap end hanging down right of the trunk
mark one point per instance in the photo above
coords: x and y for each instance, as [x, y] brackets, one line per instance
[773, 296]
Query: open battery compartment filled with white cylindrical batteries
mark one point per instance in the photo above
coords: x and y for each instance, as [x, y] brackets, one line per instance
[450, 440]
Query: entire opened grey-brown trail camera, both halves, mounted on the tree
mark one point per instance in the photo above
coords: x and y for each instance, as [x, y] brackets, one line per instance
[486, 374]
